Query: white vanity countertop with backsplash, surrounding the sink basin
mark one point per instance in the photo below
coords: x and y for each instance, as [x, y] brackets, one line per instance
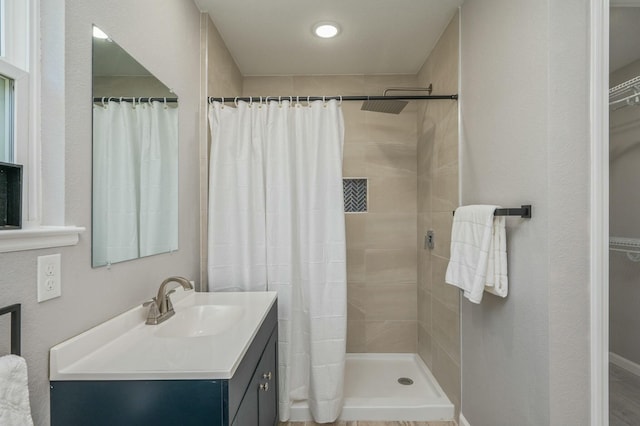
[125, 348]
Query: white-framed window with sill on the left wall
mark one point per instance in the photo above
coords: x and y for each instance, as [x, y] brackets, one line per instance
[20, 129]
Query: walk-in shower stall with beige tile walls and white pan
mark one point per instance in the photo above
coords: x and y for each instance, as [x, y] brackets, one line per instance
[401, 181]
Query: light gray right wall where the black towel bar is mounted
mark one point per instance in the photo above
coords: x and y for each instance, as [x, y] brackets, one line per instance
[524, 101]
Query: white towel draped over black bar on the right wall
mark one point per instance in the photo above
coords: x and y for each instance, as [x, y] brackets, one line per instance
[478, 252]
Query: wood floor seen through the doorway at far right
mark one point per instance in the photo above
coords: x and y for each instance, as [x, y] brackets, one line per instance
[624, 397]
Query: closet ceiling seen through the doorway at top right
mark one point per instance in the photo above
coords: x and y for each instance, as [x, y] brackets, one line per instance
[623, 36]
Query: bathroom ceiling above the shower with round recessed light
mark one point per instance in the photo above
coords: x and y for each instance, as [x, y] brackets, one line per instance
[378, 36]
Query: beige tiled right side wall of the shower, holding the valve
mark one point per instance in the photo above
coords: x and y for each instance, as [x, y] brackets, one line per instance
[438, 302]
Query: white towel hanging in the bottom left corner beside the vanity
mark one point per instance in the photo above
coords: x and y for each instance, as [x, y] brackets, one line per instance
[14, 393]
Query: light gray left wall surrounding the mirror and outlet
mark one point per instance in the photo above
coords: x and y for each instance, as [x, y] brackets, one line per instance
[91, 296]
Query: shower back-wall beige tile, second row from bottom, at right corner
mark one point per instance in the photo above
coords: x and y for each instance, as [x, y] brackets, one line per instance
[396, 301]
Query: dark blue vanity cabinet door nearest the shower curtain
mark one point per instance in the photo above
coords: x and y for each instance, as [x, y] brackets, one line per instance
[267, 376]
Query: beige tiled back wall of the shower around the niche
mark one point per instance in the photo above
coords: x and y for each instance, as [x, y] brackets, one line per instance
[381, 244]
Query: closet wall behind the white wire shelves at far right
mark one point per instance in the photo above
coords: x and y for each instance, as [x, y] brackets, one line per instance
[624, 210]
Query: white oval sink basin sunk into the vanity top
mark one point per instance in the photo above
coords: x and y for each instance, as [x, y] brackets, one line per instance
[200, 320]
